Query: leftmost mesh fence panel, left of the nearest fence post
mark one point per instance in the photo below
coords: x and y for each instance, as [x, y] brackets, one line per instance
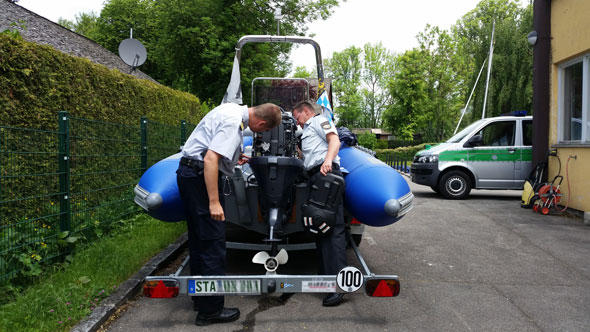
[29, 197]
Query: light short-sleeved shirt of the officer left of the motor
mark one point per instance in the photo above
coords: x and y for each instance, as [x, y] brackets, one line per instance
[220, 130]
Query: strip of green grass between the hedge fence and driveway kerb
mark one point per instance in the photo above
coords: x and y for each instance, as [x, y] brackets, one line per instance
[68, 294]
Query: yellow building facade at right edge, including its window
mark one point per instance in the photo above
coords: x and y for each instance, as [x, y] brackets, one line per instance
[569, 118]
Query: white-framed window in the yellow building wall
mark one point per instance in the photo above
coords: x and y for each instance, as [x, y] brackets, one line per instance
[574, 109]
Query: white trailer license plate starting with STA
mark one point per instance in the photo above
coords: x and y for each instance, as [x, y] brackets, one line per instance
[224, 286]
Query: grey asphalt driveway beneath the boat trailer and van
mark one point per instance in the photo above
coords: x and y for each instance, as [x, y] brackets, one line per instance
[482, 264]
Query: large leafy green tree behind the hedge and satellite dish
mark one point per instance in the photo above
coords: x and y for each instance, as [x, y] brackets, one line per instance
[191, 43]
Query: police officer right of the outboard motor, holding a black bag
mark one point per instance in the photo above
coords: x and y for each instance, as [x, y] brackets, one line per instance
[320, 145]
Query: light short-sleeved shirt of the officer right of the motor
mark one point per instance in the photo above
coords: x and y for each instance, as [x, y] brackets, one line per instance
[314, 143]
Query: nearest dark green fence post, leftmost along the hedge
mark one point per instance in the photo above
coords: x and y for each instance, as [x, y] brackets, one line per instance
[65, 211]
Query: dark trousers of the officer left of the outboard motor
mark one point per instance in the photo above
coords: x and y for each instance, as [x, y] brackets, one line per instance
[206, 237]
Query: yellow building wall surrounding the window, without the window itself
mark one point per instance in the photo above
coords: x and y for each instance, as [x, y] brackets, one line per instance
[570, 26]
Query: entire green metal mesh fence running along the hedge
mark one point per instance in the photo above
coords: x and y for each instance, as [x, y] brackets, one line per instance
[73, 182]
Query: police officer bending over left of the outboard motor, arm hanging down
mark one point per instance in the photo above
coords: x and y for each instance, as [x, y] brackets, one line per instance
[212, 150]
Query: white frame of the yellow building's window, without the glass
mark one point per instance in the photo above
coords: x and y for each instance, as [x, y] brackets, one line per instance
[585, 59]
